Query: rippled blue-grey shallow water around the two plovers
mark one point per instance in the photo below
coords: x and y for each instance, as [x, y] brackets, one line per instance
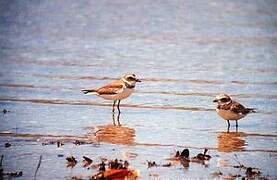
[185, 52]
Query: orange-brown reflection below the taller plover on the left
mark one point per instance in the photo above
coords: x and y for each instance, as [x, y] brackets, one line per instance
[115, 134]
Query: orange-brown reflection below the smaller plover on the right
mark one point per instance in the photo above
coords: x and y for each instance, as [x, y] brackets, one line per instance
[230, 141]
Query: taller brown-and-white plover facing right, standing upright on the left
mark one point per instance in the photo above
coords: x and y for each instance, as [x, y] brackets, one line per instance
[116, 90]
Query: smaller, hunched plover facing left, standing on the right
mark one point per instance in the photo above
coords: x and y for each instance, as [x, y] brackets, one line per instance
[230, 110]
